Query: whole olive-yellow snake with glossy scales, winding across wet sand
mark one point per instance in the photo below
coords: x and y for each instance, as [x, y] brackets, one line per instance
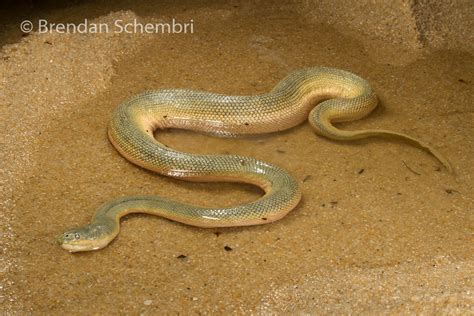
[321, 95]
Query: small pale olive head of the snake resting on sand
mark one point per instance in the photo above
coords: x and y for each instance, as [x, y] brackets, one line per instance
[86, 238]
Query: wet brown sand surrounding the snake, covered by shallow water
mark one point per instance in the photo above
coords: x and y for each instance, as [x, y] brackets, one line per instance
[380, 229]
